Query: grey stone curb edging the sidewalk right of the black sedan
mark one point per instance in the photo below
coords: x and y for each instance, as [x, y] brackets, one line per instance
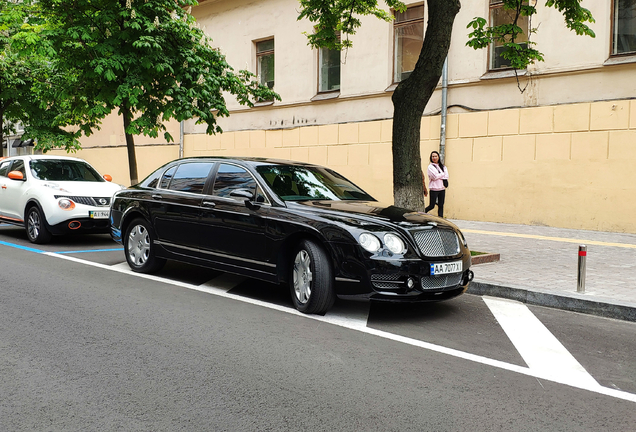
[604, 307]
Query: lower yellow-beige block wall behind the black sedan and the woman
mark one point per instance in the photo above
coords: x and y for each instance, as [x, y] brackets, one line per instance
[564, 165]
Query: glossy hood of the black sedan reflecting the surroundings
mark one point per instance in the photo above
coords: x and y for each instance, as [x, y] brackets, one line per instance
[371, 211]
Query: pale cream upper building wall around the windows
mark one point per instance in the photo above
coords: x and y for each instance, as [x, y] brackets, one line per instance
[573, 70]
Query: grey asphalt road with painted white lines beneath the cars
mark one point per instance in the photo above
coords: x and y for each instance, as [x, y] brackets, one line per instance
[87, 345]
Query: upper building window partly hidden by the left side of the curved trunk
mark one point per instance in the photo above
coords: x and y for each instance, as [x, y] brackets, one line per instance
[409, 37]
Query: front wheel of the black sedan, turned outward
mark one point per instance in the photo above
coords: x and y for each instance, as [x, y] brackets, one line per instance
[311, 279]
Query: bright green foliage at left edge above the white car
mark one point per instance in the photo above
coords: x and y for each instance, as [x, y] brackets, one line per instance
[28, 79]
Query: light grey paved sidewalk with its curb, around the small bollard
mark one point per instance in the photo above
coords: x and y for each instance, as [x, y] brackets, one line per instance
[539, 265]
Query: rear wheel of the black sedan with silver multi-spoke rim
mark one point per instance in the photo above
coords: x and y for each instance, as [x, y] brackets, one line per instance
[139, 247]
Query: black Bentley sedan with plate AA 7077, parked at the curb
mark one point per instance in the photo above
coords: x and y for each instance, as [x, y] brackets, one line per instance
[289, 222]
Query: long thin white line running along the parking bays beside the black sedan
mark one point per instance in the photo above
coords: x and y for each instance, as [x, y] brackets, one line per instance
[359, 326]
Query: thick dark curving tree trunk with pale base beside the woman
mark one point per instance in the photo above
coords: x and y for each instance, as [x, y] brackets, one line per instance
[409, 100]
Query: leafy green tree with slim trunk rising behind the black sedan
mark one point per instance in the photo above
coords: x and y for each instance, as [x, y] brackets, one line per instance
[149, 60]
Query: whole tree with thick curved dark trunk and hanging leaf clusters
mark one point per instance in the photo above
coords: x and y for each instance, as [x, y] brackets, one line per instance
[412, 94]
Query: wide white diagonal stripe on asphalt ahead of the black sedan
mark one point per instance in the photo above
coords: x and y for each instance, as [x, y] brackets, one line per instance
[539, 348]
